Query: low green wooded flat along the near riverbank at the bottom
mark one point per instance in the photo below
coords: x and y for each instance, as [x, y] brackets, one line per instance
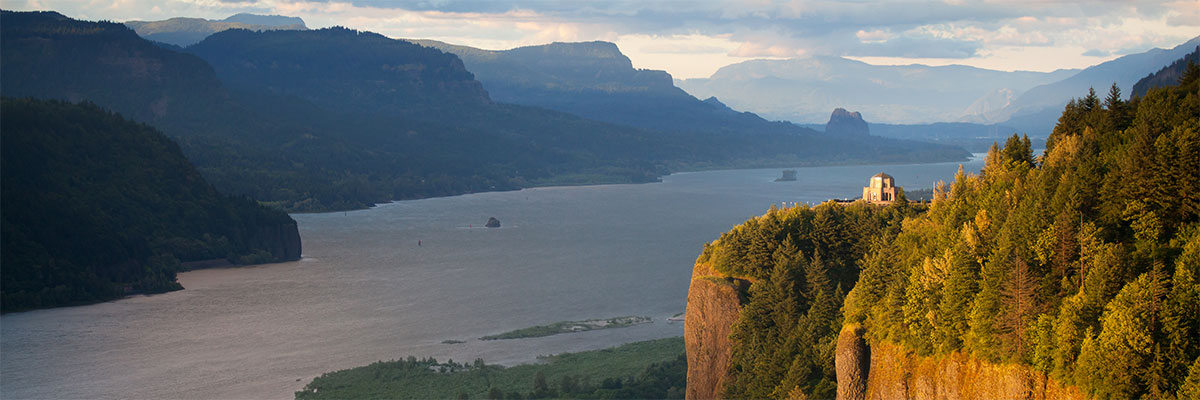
[647, 369]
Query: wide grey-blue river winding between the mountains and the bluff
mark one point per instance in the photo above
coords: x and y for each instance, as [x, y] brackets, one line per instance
[367, 291]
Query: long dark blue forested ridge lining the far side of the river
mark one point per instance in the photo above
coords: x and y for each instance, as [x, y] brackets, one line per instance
[341, 120]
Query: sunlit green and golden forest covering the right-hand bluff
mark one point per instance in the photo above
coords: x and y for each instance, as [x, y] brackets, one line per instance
[1082, 262]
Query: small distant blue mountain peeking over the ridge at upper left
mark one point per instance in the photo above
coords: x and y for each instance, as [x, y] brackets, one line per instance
[185, 32]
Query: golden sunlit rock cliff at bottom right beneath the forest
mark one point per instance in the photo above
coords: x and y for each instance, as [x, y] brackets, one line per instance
[895, 373]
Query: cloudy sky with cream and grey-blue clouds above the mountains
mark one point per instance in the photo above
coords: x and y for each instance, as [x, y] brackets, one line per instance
[694, 39]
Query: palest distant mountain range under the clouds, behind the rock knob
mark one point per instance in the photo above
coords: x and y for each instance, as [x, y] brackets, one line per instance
[805, 91]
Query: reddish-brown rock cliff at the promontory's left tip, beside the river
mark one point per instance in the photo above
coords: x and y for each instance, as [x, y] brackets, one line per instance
[715, 305]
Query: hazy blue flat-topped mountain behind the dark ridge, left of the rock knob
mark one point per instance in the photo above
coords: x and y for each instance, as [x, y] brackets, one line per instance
[596, 81]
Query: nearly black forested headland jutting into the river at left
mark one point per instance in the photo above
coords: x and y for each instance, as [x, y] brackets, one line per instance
[97, 207]
